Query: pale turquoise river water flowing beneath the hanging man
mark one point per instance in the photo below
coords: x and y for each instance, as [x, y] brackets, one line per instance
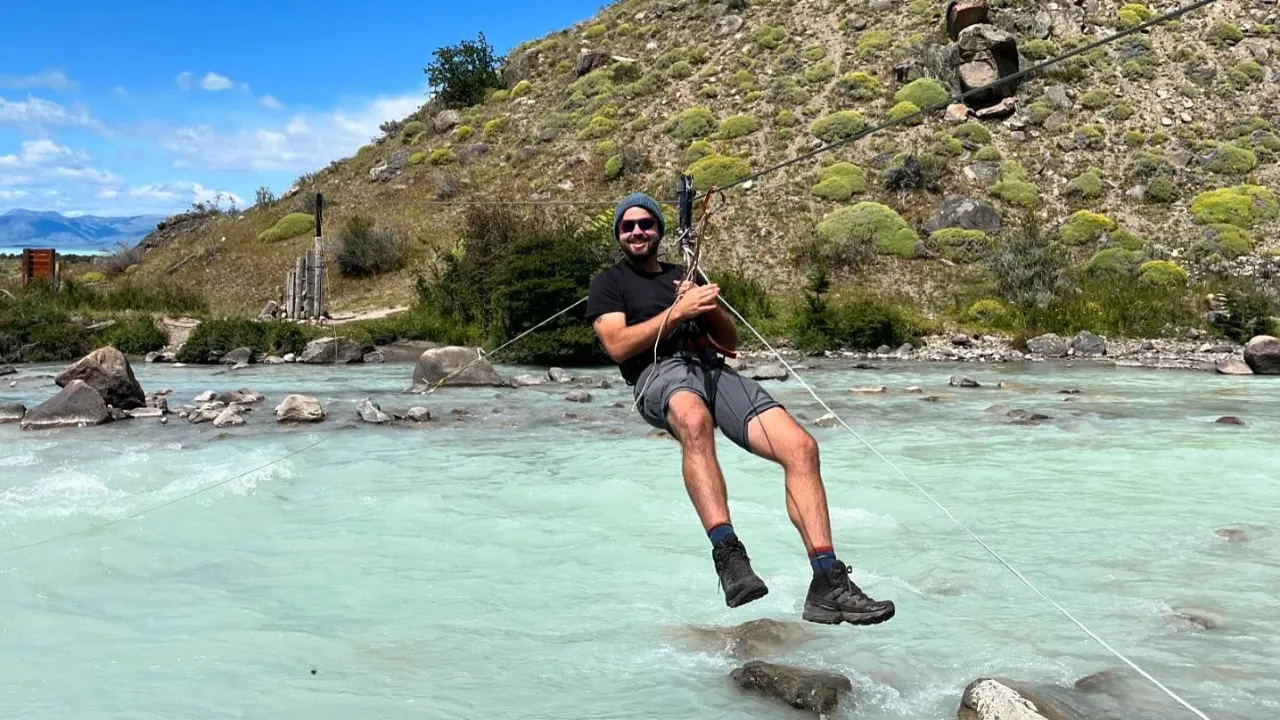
[525, 557]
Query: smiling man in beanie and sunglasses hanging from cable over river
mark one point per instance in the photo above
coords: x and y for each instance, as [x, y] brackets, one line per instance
[689, 393]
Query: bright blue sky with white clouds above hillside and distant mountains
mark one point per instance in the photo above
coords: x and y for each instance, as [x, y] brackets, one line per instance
[147, 107]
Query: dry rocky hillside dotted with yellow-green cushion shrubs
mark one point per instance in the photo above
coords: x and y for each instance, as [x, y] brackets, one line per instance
[1135, 134]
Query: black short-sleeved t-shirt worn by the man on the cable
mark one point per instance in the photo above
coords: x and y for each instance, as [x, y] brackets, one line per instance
[641, 295]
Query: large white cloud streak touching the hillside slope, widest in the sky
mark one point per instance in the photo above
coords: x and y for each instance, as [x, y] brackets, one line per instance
[303, 144]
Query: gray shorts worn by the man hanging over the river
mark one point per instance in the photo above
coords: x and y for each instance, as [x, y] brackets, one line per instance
[734, 400]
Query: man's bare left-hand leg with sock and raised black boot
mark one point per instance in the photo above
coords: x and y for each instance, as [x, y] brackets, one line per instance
[691, 422]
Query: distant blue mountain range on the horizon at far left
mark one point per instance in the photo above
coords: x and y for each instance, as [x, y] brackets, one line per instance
[86, 234]
